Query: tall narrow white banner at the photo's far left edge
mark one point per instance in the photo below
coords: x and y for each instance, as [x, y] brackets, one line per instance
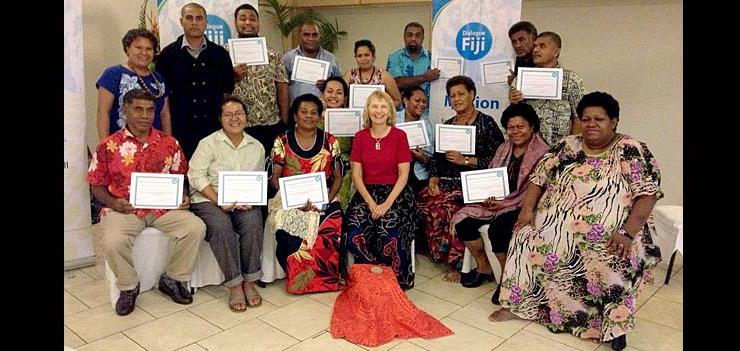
[78, 242]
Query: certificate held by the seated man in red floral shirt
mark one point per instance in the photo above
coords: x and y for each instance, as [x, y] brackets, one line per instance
[156, 190]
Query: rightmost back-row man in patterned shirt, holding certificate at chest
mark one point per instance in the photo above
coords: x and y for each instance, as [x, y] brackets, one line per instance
[558, 117]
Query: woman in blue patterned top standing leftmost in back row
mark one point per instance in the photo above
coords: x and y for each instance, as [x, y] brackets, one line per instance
[140, 46]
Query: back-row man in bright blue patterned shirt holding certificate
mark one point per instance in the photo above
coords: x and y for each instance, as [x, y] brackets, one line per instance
[411, 65]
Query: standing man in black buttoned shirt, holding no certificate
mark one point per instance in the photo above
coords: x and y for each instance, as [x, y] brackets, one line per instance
[199, 74]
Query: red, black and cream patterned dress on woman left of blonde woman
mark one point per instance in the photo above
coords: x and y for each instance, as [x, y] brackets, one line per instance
[310, 265]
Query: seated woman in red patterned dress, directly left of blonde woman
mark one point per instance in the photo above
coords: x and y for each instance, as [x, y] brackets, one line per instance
[307, 238]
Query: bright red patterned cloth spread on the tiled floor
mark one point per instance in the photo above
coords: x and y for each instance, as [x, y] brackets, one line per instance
[373, 310]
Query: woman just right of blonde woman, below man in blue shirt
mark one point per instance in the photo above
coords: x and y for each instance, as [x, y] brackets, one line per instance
[416, 110]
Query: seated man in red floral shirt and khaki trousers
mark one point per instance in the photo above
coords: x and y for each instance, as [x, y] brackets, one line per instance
[141, 148]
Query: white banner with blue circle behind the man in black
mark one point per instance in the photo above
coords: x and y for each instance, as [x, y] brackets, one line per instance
[220, 19]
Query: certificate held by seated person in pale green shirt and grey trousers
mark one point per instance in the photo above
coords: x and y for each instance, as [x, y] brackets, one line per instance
[242, 188]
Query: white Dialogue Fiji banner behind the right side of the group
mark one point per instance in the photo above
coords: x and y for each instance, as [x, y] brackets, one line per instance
[476, 31]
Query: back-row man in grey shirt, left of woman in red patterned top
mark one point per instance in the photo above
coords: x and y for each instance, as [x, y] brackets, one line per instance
[309, 47]
